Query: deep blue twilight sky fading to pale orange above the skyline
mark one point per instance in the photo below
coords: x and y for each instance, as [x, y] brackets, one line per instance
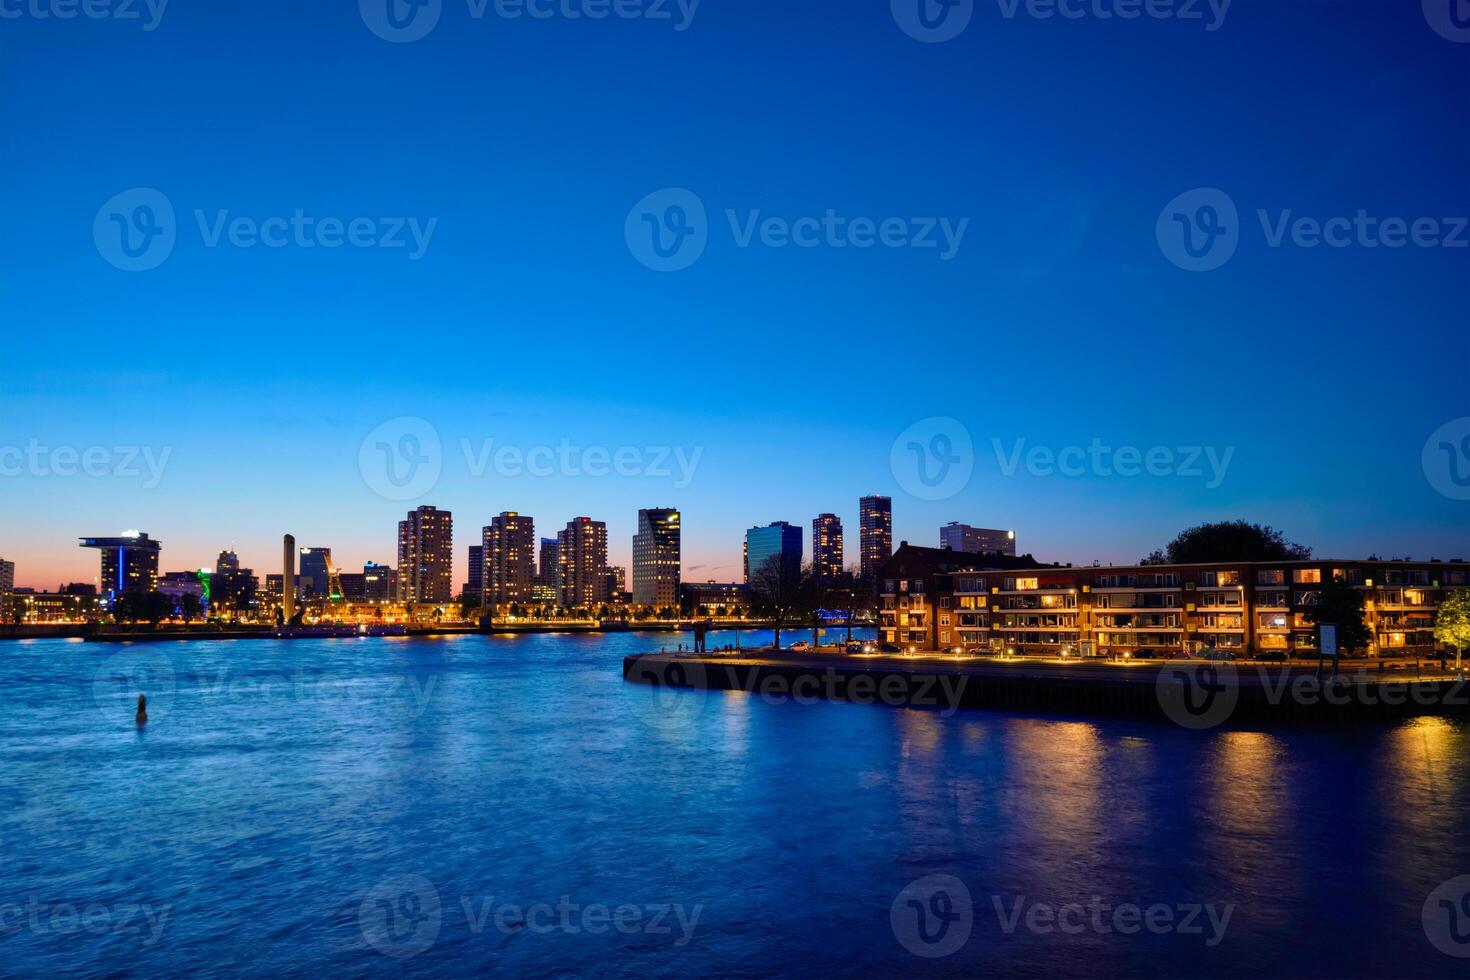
[790, 371]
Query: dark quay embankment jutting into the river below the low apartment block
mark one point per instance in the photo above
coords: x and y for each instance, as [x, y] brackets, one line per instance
[1193, 694]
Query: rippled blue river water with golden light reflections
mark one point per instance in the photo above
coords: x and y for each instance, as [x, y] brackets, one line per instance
[333, 807]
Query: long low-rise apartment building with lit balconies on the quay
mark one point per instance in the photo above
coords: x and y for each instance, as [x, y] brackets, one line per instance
[1246, 609]
